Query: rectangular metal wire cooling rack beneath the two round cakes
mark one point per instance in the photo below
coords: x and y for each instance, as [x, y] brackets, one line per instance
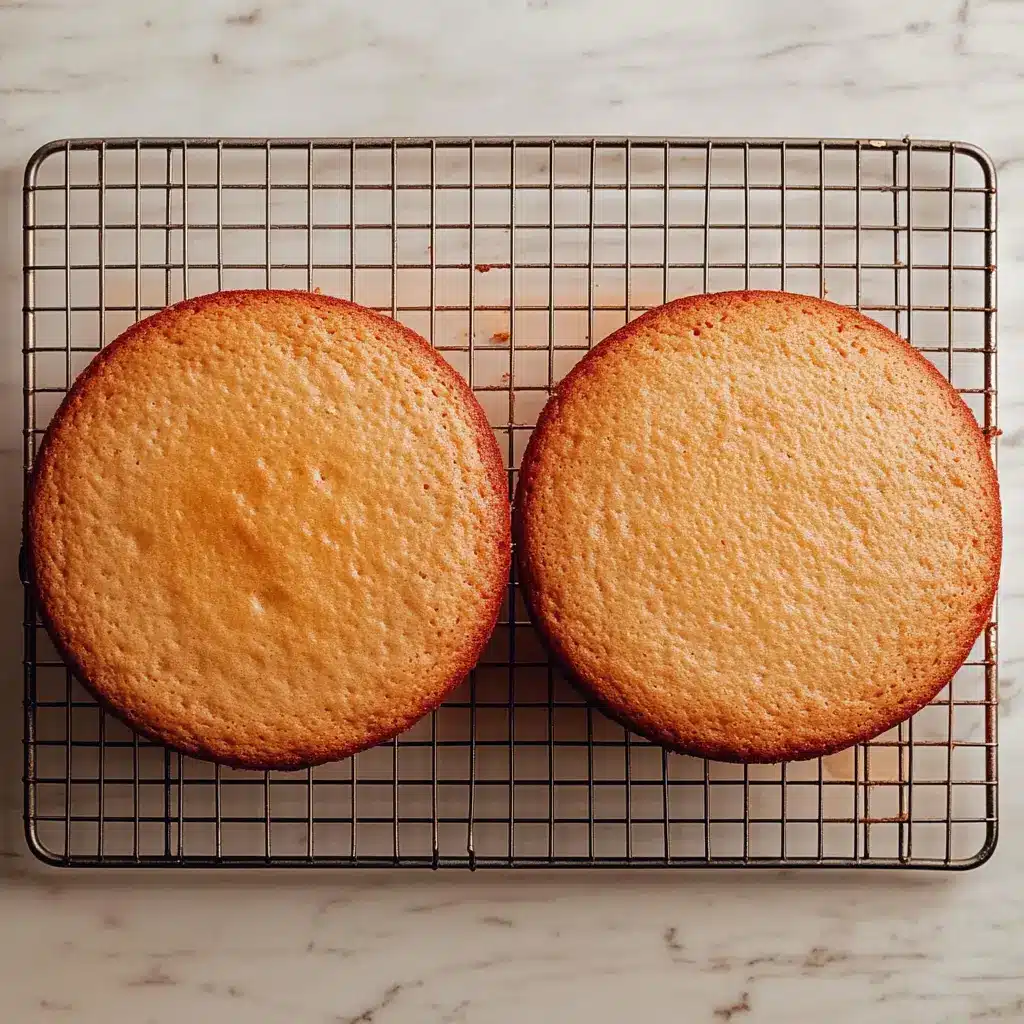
[514, 257]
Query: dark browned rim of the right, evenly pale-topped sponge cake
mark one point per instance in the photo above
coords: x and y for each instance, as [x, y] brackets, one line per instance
[628, 716]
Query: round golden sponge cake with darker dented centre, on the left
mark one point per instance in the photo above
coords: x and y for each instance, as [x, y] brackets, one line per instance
[270, 529]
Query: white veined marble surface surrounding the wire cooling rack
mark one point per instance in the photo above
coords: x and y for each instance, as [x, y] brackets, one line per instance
[417, 948]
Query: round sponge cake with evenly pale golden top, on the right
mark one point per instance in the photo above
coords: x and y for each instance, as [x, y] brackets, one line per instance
[758, 527]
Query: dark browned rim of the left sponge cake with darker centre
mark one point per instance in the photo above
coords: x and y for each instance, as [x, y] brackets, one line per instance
[35, 511]
